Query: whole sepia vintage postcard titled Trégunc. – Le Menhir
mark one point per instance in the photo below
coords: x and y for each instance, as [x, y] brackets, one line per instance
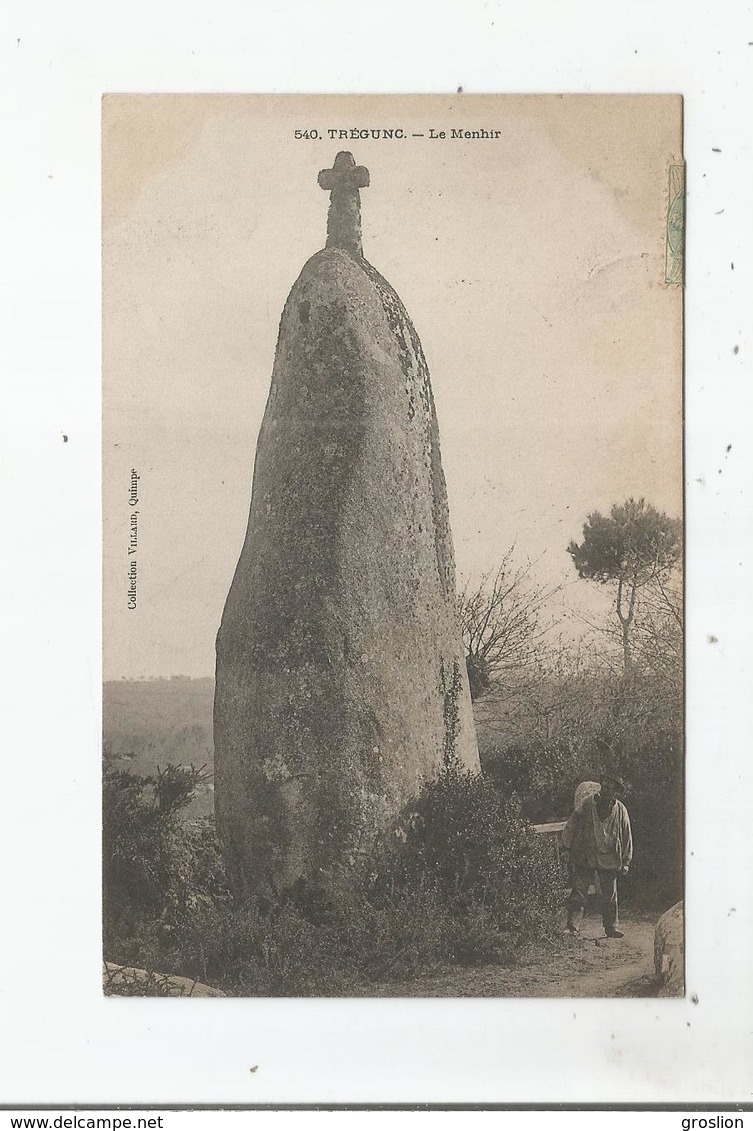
[394, 546]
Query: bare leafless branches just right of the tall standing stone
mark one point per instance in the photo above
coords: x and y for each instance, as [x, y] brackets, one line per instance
[503, 626]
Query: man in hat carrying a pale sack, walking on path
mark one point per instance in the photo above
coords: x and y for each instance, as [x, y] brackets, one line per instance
[598, 839]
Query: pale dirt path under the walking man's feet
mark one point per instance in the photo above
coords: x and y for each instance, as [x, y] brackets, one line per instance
[592, 966]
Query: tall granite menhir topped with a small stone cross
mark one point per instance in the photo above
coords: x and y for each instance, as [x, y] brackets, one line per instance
[341, 679]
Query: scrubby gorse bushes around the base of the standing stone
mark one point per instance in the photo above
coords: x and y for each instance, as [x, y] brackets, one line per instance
[462, 879]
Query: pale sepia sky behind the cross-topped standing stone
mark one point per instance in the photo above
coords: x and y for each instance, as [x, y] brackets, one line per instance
[532, 266]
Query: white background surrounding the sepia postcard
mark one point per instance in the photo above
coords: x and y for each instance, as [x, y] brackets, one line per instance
[60, 1041]
